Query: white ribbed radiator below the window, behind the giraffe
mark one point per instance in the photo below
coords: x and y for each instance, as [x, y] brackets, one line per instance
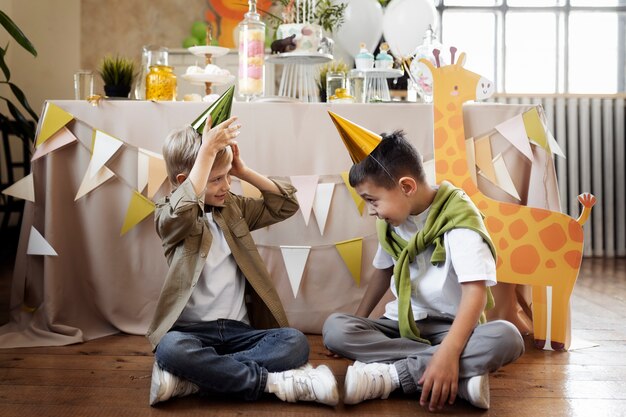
[591, 132]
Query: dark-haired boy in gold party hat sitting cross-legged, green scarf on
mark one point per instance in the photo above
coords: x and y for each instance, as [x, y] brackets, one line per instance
[438, 258]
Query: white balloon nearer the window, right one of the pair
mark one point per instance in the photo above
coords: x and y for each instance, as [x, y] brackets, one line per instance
[405, 22]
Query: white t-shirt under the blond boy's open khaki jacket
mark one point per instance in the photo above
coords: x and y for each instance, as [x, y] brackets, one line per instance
[219, 292]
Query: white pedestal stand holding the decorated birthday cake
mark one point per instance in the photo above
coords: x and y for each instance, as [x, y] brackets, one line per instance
[298, 77]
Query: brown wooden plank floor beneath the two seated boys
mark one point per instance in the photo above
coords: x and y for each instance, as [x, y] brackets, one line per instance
[111, 376]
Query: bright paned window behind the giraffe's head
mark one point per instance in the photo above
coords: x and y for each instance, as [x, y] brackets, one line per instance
[540, 46]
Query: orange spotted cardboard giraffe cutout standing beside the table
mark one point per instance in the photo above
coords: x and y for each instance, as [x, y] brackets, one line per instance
[535, 247]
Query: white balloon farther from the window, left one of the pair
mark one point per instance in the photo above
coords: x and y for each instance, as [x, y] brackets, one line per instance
[363, 22]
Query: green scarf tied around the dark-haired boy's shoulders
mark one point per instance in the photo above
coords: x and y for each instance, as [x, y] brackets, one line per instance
[451, 209]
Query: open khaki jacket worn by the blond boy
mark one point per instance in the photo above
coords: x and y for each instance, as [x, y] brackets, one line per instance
[186, 239]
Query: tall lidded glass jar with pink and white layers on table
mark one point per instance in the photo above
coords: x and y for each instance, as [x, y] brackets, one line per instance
[251, 36]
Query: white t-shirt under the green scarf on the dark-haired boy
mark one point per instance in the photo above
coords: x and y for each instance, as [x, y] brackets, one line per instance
[435, 288]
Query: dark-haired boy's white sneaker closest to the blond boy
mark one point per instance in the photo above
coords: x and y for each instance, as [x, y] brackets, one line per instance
[366, 381]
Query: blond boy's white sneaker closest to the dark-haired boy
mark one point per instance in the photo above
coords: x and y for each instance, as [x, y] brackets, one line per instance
[305, 384]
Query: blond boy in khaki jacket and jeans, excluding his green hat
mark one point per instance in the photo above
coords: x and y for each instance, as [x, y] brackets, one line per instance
[219, 326]
